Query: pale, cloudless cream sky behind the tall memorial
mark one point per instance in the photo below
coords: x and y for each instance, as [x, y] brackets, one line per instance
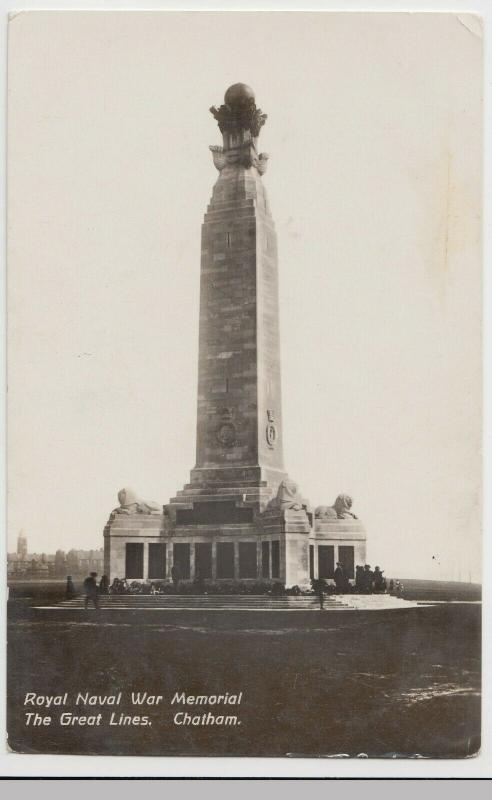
[374, 181]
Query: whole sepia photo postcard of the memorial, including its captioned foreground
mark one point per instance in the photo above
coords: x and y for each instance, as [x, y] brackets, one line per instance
[374, 186]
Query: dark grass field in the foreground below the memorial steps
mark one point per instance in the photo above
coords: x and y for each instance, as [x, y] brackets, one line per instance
[387, 683]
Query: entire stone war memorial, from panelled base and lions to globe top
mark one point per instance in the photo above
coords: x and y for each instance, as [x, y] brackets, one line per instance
[241, 518]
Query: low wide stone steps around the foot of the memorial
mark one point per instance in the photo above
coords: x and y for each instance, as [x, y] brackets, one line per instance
[129, 602]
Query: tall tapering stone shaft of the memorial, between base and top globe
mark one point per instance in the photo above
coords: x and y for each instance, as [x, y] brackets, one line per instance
[239, 415]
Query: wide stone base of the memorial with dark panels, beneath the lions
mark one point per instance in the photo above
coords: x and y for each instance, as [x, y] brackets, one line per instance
[223, 535]
